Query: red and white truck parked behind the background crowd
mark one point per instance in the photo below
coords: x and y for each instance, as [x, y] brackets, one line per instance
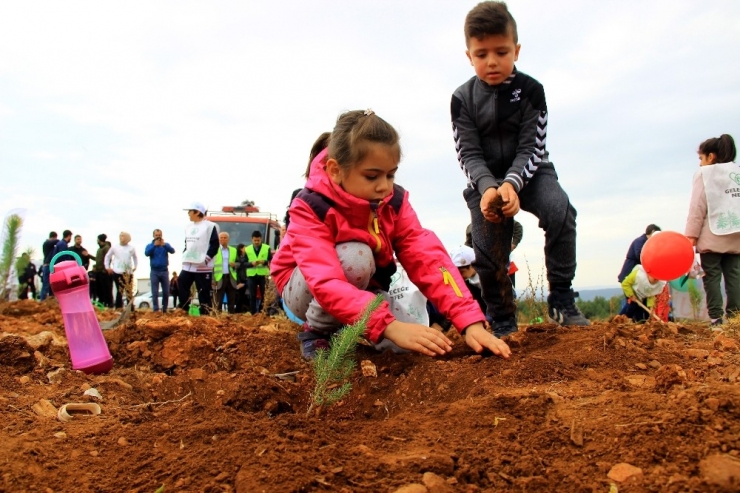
[242, 220]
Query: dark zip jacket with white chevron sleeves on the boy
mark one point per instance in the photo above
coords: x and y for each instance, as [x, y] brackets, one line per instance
[500, 131]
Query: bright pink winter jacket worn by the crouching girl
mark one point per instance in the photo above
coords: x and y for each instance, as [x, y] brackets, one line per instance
[390, 228]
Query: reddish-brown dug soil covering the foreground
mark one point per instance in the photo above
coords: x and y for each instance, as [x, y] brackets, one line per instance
[194, 404]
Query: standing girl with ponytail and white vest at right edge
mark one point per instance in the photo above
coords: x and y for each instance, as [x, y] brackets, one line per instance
[713, 224]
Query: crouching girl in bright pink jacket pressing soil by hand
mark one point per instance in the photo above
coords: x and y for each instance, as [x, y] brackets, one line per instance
[345, 227]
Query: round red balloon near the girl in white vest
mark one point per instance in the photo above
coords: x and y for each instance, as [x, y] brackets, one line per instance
[667, 255]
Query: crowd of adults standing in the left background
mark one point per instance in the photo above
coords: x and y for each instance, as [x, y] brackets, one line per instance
[213, 272]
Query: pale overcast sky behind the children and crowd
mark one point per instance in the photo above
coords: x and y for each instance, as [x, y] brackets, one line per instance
[115, 116]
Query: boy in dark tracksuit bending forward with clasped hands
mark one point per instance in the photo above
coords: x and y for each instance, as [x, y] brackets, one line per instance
[499, 120]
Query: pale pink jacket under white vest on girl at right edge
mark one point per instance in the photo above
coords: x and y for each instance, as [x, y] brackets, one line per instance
[697, 224]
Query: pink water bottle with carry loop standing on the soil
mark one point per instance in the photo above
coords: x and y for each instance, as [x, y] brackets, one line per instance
[87, 346]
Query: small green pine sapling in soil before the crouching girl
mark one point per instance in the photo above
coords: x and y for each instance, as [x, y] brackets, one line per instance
[334, 366]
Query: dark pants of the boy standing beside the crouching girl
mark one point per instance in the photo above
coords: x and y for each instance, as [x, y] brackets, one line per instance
[544, 197]
